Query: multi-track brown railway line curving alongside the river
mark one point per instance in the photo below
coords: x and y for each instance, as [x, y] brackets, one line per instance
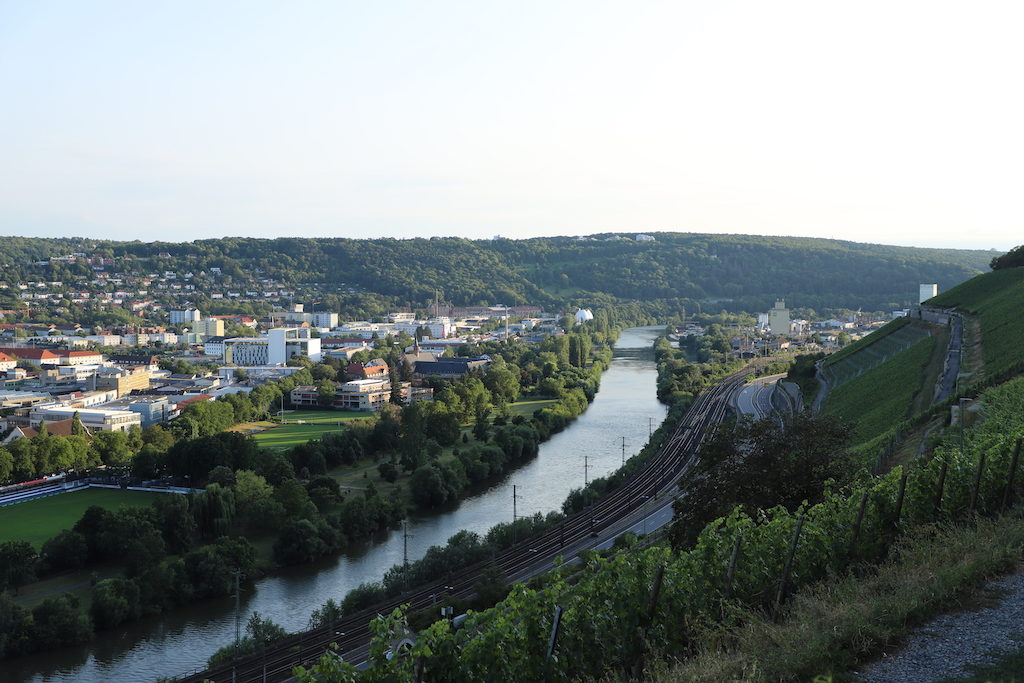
[353, 633]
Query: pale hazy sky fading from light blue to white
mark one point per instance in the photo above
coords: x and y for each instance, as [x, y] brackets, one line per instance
[892, 122]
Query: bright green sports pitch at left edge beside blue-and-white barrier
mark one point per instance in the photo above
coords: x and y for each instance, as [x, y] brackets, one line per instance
[38, 521]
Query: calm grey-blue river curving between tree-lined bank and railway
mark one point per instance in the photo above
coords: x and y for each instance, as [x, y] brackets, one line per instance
[177, 644]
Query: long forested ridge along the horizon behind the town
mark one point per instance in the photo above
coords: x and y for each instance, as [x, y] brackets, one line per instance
[731, 272]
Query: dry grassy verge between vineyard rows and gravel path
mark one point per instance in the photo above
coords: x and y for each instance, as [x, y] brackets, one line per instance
[837, 624]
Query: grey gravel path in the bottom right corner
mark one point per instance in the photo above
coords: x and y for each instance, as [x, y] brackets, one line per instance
[949, 645]
